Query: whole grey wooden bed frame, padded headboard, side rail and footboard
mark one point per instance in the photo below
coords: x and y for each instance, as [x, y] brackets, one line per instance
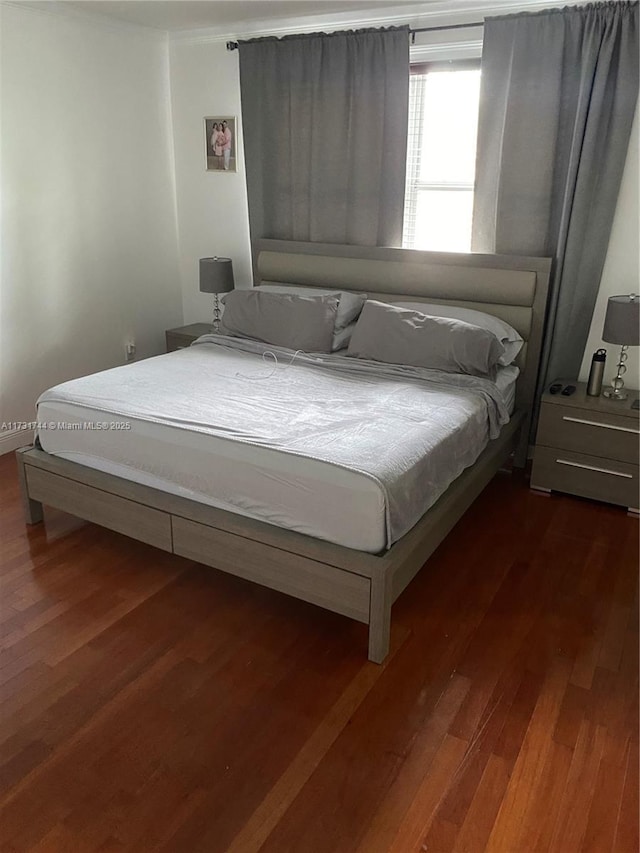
[356, 584]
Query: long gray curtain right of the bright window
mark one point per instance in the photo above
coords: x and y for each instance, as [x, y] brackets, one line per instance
[558, 95]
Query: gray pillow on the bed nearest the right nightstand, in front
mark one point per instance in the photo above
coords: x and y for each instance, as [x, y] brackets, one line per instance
[398, 336]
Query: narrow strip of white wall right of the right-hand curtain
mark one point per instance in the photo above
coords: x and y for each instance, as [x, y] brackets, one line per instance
[621, 273]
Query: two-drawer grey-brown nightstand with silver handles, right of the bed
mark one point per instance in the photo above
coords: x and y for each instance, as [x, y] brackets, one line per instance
[588, 446]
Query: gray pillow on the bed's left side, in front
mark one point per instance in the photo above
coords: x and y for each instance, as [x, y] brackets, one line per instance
[282, 319]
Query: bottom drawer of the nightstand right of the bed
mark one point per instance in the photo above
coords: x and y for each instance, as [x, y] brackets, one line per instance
[589, 476]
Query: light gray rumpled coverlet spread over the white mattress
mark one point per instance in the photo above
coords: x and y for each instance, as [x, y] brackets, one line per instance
[413, 431]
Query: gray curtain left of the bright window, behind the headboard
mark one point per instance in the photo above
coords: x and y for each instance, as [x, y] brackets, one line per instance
[325, 135]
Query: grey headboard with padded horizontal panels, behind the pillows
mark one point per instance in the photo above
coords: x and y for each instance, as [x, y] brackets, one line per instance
[510, 287]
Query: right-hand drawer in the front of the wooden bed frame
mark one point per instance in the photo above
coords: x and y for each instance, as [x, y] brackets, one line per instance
[332, 588]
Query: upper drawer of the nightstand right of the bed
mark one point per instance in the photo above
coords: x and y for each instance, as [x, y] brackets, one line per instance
[584, 431]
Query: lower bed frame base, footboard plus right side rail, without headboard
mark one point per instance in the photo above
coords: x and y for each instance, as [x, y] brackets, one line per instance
[353, 583]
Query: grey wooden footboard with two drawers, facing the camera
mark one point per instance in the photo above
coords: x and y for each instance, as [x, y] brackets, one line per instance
[320, 573]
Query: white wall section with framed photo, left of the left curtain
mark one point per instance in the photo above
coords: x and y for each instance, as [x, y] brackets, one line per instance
[212, 206]
